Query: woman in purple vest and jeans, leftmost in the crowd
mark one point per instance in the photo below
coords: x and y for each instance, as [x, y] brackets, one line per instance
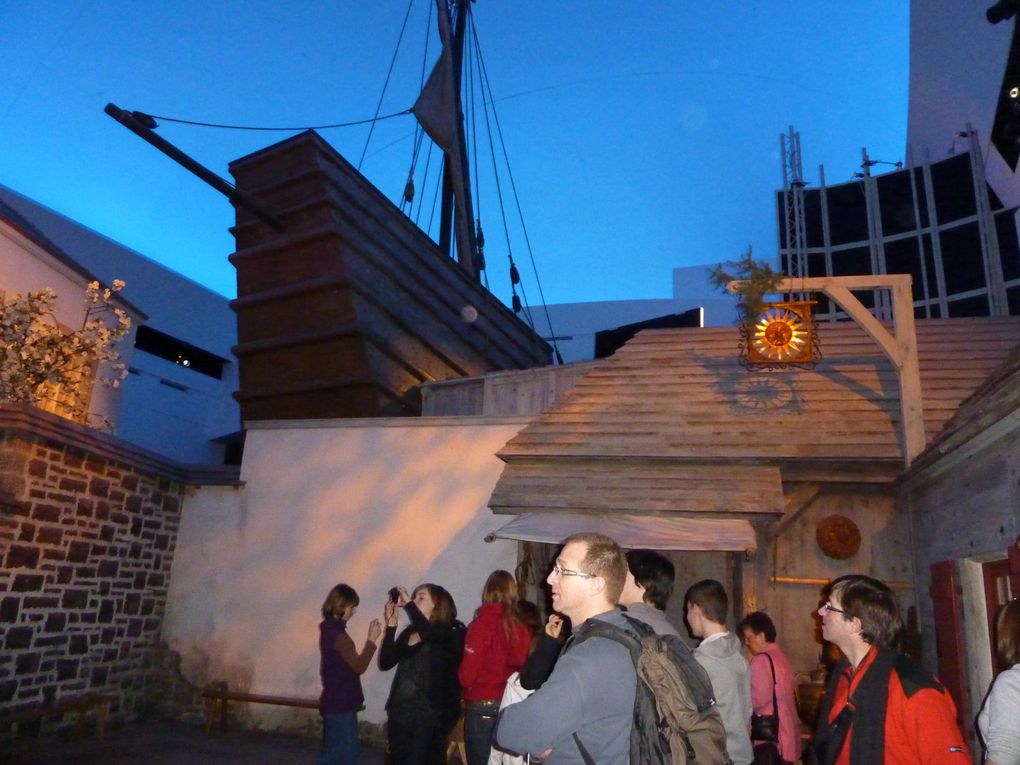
[341, 669]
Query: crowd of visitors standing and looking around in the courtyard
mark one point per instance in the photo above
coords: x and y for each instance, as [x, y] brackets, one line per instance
[530, 692]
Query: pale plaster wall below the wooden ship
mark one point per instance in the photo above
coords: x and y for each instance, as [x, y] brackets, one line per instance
[373, 503]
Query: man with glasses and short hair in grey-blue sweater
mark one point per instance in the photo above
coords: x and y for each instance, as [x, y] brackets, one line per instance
[588, 702]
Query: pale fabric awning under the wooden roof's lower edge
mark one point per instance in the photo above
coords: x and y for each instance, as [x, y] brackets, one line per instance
[631, 532]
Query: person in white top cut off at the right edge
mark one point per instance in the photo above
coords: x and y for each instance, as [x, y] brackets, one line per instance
[999, 721]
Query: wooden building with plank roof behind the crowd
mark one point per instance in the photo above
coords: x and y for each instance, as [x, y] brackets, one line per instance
[674, 427]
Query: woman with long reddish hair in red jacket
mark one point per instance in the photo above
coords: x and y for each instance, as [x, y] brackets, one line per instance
[496, 646]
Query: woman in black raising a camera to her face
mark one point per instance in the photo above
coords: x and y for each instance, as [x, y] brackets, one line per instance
[425, 699]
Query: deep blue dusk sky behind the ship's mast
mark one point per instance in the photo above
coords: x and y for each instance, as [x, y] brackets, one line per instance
[642, 136]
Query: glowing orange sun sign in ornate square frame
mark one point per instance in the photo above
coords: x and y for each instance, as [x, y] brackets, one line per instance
[782, 335]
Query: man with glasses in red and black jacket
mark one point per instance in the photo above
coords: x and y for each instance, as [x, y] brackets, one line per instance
[880, 707]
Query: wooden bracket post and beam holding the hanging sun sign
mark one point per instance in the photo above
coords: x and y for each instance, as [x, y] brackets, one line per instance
[900, 346]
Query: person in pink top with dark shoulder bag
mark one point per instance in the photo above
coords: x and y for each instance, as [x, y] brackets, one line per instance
[759, 637]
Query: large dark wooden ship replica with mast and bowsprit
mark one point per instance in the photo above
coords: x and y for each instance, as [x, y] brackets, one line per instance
[345, 307]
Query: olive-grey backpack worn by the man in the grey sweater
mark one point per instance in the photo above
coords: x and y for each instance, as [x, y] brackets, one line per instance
[677, 722]
